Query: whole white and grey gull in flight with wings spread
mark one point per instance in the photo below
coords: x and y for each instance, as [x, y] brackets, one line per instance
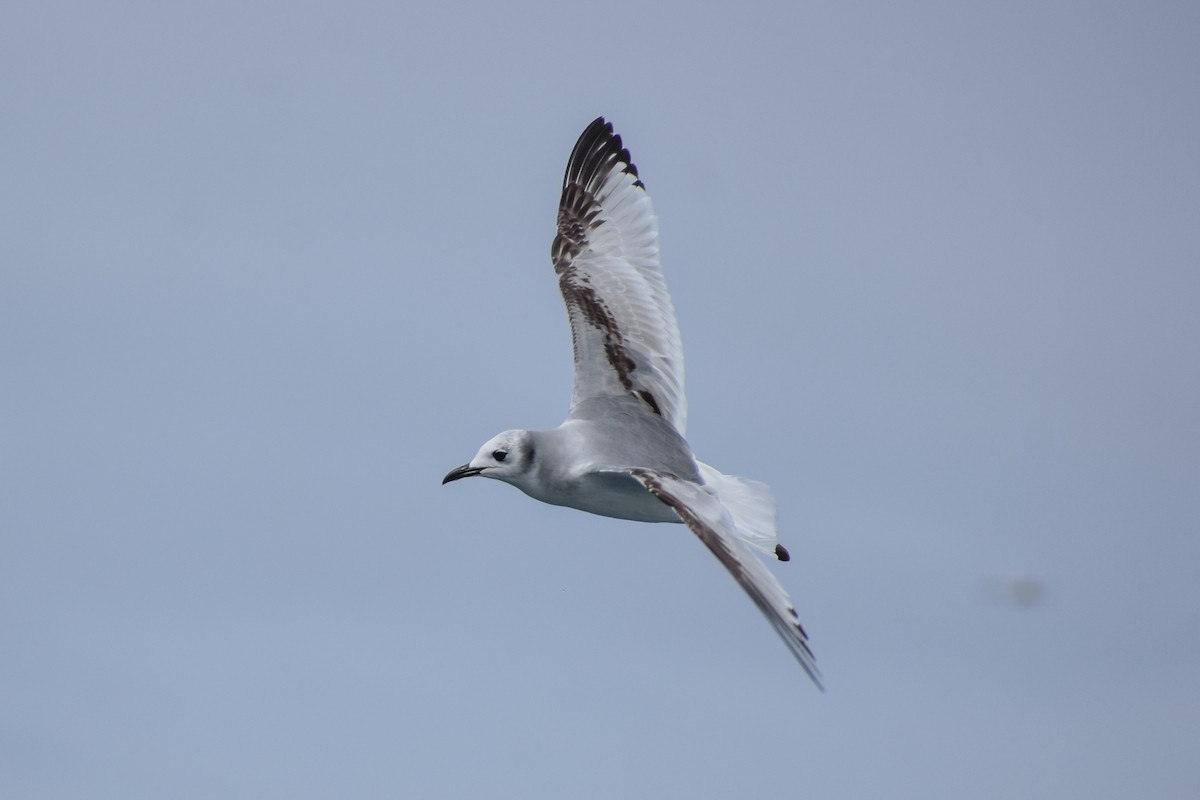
[622, 450]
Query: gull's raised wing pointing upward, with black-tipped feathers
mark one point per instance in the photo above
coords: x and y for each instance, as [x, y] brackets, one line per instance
[607, 256]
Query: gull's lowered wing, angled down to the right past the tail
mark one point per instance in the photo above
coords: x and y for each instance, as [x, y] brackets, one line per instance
[712, 524]
